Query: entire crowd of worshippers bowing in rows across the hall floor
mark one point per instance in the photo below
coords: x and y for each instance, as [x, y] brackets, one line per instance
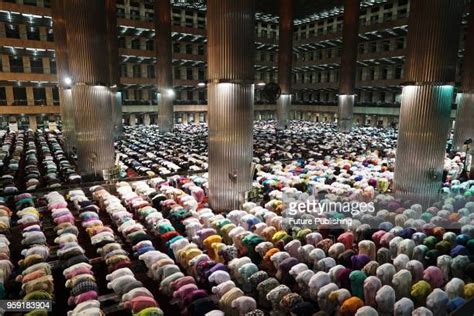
[321, 232]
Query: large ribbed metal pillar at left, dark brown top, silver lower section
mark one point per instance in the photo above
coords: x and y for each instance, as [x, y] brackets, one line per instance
[87, 44]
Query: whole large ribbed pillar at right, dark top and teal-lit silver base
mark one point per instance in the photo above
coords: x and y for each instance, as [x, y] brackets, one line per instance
[432, 46]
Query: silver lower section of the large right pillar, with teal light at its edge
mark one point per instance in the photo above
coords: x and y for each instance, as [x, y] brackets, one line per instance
[422, 140]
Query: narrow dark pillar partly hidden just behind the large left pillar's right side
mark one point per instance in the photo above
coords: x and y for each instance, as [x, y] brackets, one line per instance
[114, 66]
